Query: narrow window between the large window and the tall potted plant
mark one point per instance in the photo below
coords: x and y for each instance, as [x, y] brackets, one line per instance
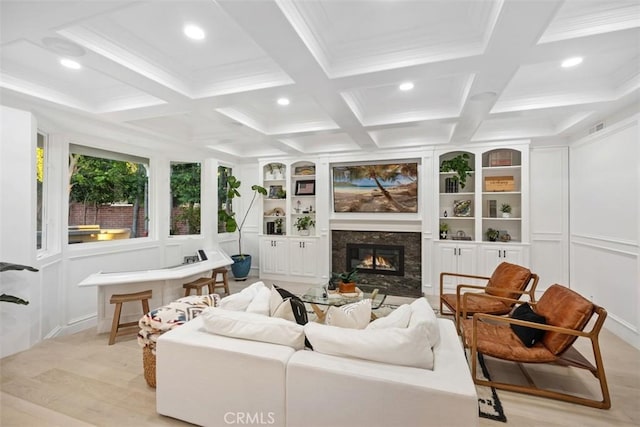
[185, 198]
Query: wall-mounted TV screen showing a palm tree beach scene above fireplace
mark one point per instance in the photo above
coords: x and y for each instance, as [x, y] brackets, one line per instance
[376, 188]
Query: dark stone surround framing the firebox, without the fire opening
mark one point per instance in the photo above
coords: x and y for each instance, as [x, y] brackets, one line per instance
[409, 285]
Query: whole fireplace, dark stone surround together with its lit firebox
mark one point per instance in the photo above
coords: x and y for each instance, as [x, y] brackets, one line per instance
[392, 259]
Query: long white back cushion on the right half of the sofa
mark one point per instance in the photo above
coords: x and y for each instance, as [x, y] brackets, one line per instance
[396, 346]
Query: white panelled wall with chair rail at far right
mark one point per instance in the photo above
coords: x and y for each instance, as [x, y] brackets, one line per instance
[604, 200]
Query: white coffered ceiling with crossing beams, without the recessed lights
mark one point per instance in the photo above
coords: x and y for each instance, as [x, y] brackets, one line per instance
[481, 70]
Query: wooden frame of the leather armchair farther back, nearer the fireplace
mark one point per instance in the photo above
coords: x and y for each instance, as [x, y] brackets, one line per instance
[461, 298]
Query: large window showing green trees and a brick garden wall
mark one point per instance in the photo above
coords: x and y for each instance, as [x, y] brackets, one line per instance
[108, 195]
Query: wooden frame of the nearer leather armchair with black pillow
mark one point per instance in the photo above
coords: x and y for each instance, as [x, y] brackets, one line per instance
[569, 358]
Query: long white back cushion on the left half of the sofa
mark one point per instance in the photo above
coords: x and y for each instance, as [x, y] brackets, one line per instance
[252, 326]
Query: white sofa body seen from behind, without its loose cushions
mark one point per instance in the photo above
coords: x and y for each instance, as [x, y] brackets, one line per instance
[214, 380]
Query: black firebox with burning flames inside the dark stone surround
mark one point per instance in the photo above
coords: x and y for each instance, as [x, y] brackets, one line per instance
[376, 259]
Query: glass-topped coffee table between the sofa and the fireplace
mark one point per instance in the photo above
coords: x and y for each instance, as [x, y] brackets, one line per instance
[320, 296]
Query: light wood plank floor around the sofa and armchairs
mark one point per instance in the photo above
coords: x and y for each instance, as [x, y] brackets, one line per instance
[79, 380]
